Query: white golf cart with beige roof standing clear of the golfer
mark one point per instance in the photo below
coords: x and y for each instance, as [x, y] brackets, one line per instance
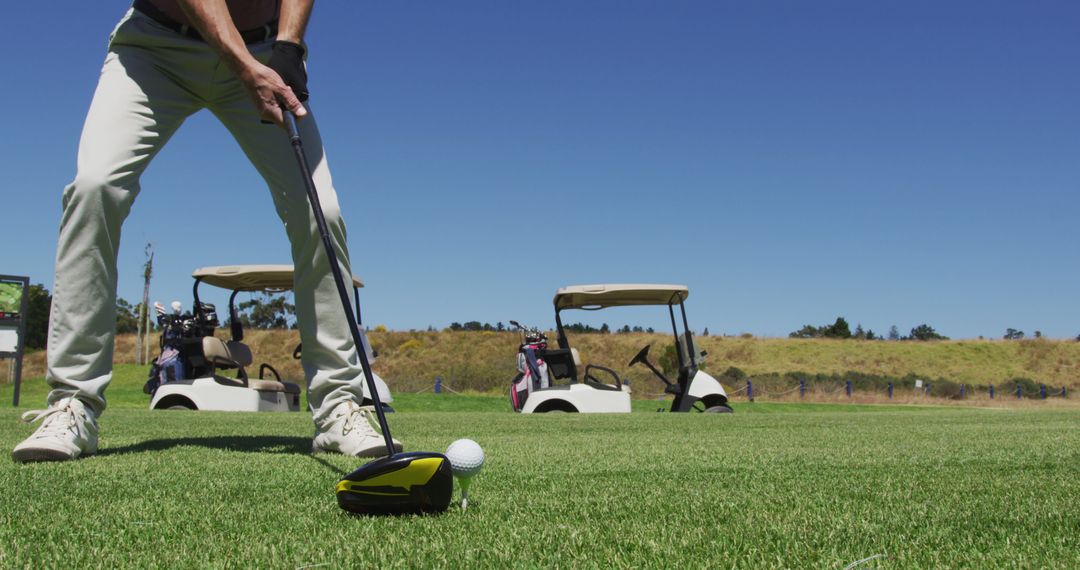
[693, 390]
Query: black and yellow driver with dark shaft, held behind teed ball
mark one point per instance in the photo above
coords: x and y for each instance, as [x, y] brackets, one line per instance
[420, 482]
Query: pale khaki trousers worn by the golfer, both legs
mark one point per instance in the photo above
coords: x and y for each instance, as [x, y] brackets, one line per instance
[152, 82]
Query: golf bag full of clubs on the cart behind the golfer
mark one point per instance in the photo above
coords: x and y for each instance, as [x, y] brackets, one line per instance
[181, 345]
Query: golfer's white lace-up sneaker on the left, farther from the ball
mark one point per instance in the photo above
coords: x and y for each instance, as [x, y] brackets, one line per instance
[69, 430]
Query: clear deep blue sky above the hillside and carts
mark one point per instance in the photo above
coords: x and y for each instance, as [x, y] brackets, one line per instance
[896, 164]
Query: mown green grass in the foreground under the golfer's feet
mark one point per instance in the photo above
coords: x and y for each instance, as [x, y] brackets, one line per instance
[799, 487]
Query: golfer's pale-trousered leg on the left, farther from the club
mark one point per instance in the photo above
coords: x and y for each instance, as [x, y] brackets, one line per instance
[134, 112]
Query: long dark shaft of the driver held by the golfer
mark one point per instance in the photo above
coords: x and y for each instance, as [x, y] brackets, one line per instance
[317, 209]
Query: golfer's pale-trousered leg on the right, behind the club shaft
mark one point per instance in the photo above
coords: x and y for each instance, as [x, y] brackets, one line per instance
[330, 362]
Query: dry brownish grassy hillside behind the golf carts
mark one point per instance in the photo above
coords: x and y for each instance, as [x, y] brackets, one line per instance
[485, 361]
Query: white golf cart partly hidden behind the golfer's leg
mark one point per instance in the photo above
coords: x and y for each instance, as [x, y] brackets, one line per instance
[191, 374]
